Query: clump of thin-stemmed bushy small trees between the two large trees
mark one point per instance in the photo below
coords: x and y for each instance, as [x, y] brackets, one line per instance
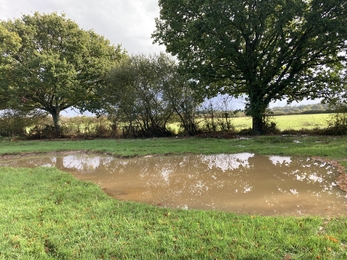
[146, 91]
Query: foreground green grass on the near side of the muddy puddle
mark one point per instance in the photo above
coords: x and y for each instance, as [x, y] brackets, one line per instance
[47, 214]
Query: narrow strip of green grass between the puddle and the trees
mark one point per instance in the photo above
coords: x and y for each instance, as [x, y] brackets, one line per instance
[333, 148]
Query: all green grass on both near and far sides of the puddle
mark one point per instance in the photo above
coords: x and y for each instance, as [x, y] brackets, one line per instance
[48, 214]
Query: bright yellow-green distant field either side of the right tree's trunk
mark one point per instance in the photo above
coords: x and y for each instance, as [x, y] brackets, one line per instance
[288, 122]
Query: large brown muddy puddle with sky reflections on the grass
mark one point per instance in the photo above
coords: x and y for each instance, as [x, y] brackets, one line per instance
[241, 183]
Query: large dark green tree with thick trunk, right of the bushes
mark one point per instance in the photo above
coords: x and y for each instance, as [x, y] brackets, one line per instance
[268, 50]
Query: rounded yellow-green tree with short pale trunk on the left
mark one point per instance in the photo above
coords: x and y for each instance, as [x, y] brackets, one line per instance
[58, 65]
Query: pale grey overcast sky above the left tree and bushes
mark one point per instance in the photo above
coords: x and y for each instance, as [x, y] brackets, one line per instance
[126, 22]
